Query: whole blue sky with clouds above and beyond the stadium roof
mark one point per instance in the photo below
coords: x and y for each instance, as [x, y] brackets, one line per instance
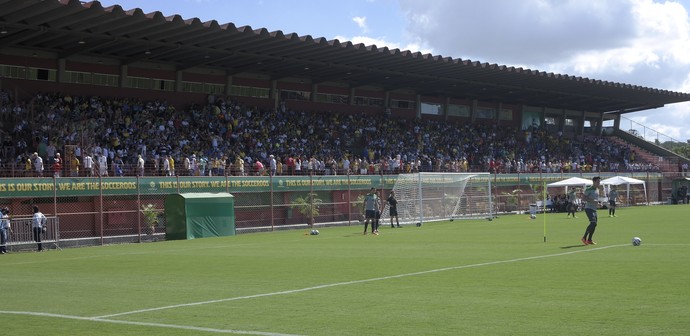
[639, 42]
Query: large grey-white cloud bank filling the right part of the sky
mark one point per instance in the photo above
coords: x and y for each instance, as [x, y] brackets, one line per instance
[639, 42]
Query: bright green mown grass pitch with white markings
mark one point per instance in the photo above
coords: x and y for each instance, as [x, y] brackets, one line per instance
[448, 278]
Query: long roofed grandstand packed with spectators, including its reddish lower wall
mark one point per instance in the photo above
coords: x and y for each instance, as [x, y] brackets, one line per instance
[90, 92]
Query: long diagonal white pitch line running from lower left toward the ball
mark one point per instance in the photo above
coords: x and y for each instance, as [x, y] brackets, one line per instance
[292, 291]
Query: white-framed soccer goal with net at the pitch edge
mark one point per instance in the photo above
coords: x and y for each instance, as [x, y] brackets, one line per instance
[424, 197]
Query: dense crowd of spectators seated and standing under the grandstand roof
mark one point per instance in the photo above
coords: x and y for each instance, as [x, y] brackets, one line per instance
[125, 136]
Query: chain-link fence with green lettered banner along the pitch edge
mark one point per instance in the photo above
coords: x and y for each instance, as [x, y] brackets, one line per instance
[97, 211]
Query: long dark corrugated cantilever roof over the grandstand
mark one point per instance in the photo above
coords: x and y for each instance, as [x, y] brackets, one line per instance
[71, 28]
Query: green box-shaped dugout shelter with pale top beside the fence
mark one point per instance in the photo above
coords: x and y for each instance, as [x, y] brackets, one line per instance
[199, 215]
